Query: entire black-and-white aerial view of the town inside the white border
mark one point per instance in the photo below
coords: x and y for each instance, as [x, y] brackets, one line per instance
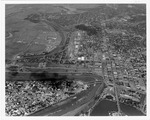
[75, 60]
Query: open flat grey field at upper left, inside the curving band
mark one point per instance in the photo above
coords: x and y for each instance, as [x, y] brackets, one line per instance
[26, 36]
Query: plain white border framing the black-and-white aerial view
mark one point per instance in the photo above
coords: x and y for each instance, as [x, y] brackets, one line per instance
[2, 58]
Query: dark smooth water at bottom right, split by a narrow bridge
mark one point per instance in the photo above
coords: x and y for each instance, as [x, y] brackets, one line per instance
[105, 106]
